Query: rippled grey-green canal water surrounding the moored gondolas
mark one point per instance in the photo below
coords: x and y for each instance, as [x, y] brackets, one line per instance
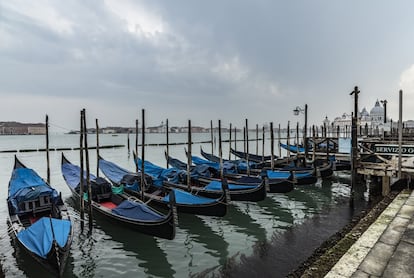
[271, 237]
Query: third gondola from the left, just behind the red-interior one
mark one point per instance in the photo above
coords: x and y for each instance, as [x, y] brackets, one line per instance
[159, 195]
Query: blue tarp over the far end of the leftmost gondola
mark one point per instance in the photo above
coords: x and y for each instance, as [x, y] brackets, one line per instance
[25, 185]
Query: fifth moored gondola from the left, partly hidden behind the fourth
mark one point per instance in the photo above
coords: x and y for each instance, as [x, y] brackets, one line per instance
[271, 185]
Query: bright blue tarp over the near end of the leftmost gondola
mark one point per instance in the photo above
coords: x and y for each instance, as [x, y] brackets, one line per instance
[38, 238]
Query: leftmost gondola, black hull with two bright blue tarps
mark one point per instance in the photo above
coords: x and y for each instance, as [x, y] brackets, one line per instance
[38, 219]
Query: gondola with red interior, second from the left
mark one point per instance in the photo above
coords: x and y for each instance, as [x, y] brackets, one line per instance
[117, 207]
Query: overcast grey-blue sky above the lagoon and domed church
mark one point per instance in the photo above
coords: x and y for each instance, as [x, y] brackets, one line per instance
[202, 60]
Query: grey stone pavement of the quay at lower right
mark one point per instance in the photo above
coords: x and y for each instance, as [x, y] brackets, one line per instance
[386, 248]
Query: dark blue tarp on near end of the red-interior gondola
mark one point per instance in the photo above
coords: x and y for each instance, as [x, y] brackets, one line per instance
[136, 211]
